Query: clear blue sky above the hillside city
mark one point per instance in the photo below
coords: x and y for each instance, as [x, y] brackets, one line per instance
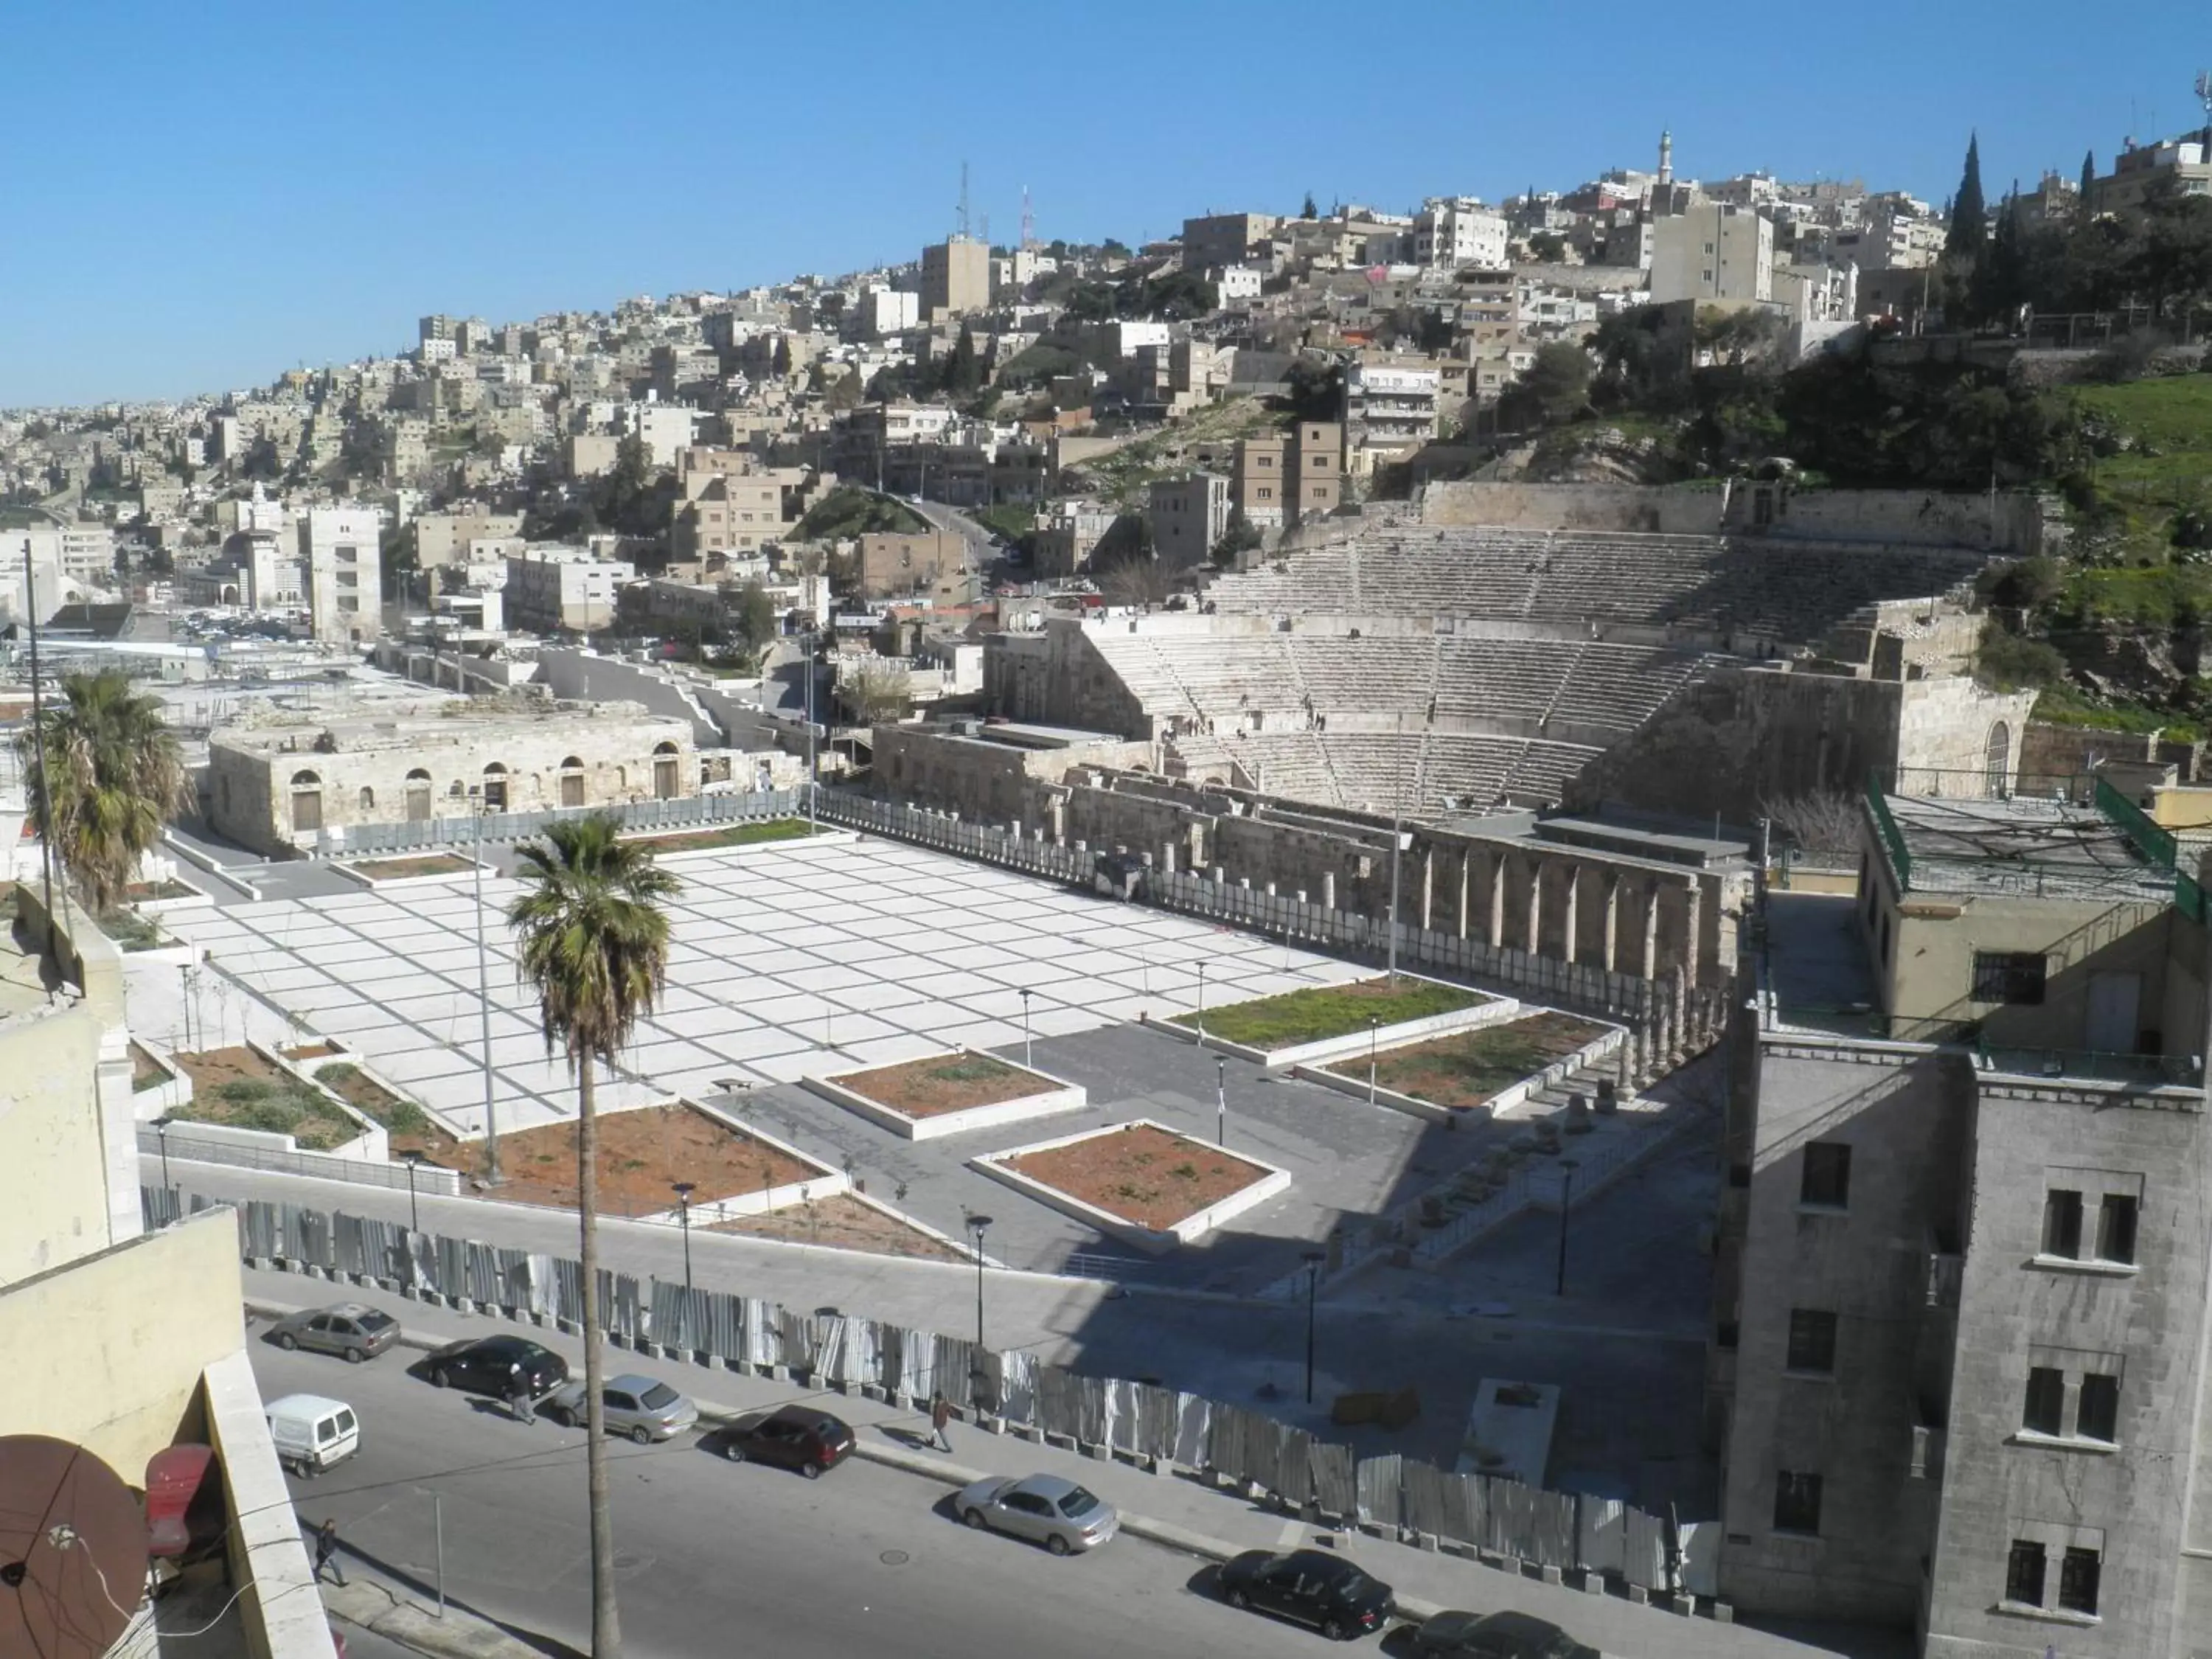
[205, 196]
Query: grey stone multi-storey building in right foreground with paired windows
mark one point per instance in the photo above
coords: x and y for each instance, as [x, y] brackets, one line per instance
[1963, 1246]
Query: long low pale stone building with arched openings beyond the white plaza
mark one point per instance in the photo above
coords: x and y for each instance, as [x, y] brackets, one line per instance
[302, 786]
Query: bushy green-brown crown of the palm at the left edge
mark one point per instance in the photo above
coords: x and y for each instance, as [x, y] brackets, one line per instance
[105, 775]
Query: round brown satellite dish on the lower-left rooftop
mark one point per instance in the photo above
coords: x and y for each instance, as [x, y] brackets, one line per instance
[72, 1552]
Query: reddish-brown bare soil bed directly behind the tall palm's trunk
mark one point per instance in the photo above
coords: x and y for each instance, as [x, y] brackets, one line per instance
[643, 1154]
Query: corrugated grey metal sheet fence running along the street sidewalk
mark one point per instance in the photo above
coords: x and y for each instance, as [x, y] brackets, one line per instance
[1136, 1419]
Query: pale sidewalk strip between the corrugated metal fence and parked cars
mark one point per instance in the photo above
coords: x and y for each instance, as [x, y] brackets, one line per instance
[1176, 1510]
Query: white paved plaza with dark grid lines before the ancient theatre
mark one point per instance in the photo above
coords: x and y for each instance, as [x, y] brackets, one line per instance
[789, 959]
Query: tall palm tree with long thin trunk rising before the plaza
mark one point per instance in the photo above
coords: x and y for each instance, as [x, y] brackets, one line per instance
[594, 943]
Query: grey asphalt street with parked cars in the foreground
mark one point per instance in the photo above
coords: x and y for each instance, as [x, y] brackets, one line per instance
[718, 1558]
